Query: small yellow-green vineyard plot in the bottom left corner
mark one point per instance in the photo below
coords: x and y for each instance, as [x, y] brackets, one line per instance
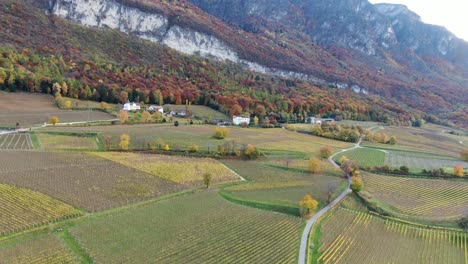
[43, 249]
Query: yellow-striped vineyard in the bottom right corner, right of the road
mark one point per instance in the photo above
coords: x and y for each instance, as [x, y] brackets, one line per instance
[355, 237]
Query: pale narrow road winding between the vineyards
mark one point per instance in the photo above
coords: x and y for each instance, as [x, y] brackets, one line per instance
[313, 220]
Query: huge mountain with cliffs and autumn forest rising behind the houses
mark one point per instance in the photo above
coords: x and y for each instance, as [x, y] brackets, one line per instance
[382, 53]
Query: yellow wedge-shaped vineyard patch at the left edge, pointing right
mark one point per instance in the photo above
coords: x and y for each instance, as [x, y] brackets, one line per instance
[21, 209]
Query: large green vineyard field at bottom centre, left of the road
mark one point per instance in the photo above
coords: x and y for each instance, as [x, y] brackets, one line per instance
[197, 228]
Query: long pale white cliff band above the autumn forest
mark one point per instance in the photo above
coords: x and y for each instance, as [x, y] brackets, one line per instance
[157, 28]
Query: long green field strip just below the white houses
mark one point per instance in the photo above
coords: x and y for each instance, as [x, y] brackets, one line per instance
[182, 137]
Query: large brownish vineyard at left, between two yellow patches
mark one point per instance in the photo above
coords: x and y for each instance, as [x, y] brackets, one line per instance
[81, 180]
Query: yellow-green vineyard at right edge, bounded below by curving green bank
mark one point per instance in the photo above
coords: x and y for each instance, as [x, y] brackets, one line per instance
[425, 198]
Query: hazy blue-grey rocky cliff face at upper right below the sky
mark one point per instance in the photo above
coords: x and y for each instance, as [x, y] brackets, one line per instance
[355, 24]
